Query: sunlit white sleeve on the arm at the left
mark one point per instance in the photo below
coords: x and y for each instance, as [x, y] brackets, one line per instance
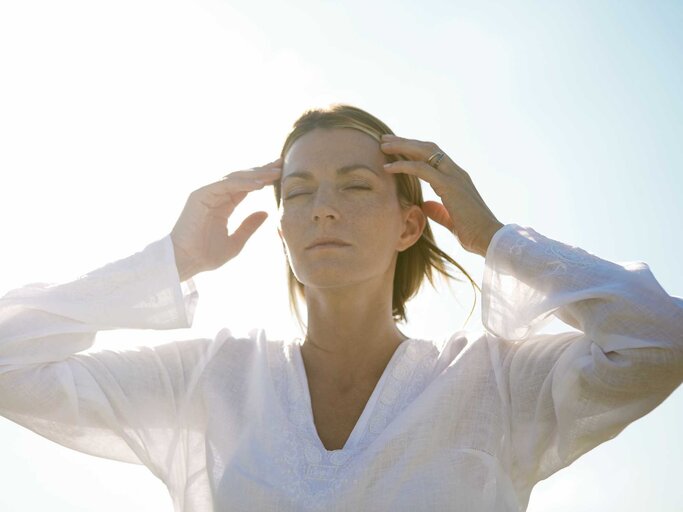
[127, 404]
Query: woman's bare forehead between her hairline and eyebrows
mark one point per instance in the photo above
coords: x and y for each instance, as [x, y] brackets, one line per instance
[334, 147]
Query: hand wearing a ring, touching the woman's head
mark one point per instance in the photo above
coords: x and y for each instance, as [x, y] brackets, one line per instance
[463, 211]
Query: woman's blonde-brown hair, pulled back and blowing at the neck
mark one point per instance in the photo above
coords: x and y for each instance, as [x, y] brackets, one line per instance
[421, 259]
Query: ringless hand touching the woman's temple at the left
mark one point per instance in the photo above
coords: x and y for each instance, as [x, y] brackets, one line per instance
[200, 236]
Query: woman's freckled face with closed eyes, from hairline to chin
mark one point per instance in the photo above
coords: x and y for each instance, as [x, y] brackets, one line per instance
[333, 185]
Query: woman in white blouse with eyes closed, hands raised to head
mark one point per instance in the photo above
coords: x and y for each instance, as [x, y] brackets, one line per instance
[357, 416]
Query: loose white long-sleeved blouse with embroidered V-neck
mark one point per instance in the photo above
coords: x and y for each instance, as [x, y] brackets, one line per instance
[226, 423]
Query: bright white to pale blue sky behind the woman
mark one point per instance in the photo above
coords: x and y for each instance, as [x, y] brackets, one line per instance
[566, 115]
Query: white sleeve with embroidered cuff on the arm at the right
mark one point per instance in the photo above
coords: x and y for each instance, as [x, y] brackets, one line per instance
[571, 391]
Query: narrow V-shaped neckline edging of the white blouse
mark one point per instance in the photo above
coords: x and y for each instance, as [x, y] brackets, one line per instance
[360, 427]
